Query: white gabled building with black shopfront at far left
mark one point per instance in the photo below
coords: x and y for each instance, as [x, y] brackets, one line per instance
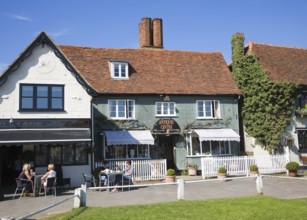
[45, 108]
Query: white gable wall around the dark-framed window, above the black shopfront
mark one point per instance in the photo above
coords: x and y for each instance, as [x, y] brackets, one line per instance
[77, 102]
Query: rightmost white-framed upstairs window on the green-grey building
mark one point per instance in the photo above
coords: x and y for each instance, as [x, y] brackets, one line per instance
[208, 109]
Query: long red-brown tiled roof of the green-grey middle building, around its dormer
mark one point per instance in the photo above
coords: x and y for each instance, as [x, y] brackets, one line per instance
[153, 71]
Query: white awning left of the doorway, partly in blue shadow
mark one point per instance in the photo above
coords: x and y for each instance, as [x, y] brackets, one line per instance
[129, 137]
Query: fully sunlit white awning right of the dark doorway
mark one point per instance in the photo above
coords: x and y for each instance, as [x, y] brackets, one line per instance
[224, 134]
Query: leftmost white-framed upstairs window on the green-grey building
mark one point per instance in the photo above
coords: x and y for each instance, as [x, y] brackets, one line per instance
[121, 109]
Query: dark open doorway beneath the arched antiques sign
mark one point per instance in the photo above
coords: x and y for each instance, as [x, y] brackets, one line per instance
[166, 149]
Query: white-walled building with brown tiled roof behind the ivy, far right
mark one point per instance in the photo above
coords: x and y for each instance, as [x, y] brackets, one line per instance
[284, 64]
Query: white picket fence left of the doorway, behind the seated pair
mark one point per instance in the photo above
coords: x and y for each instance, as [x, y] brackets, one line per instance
[143, 169]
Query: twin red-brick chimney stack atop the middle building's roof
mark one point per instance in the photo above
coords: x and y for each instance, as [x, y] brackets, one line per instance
[150, 33]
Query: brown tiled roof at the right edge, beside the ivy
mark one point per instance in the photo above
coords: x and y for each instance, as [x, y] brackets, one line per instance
[282, 63]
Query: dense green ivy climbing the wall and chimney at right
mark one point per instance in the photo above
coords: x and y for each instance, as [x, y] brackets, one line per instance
[267, 105]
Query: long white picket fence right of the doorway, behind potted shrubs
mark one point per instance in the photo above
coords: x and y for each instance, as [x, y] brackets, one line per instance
[239, 165]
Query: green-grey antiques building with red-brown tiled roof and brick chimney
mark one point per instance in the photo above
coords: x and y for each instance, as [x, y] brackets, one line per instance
[154, 103]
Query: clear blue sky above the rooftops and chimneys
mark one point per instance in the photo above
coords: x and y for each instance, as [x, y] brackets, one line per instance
[193, 25]
